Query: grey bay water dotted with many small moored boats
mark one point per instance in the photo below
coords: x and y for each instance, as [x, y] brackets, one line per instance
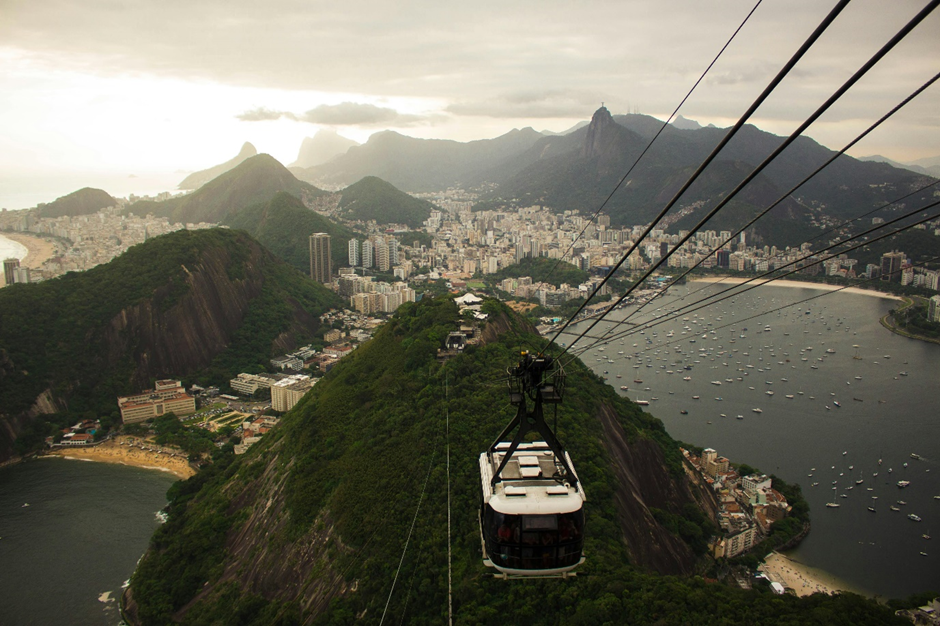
[884, 415]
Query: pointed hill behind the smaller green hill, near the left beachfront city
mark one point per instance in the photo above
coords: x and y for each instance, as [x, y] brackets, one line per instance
[254, 181]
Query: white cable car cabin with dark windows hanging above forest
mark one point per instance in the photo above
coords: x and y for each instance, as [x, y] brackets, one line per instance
[531, 524]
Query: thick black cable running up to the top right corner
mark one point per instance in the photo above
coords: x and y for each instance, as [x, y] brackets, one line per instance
[898, 37]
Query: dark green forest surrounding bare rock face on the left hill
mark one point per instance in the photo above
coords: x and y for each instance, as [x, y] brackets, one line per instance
[53, 333]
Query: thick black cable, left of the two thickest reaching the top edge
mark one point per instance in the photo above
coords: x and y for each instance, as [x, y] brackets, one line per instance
[814, 36]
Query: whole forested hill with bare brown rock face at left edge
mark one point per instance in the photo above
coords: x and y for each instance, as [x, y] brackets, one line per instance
[190, 303]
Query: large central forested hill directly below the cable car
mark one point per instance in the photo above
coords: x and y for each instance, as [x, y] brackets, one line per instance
[310, 525]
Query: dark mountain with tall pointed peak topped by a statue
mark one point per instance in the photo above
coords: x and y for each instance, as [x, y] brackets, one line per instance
[578, 171]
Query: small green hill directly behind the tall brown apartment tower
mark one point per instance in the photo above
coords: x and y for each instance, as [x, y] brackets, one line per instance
[283, 225]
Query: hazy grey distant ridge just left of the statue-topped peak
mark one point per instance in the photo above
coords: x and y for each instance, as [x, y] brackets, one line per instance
[419, 164]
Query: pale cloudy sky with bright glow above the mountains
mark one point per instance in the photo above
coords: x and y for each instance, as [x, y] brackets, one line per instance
[97, 91]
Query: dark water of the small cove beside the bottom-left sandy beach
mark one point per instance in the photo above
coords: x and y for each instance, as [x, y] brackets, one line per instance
[65, 557]
